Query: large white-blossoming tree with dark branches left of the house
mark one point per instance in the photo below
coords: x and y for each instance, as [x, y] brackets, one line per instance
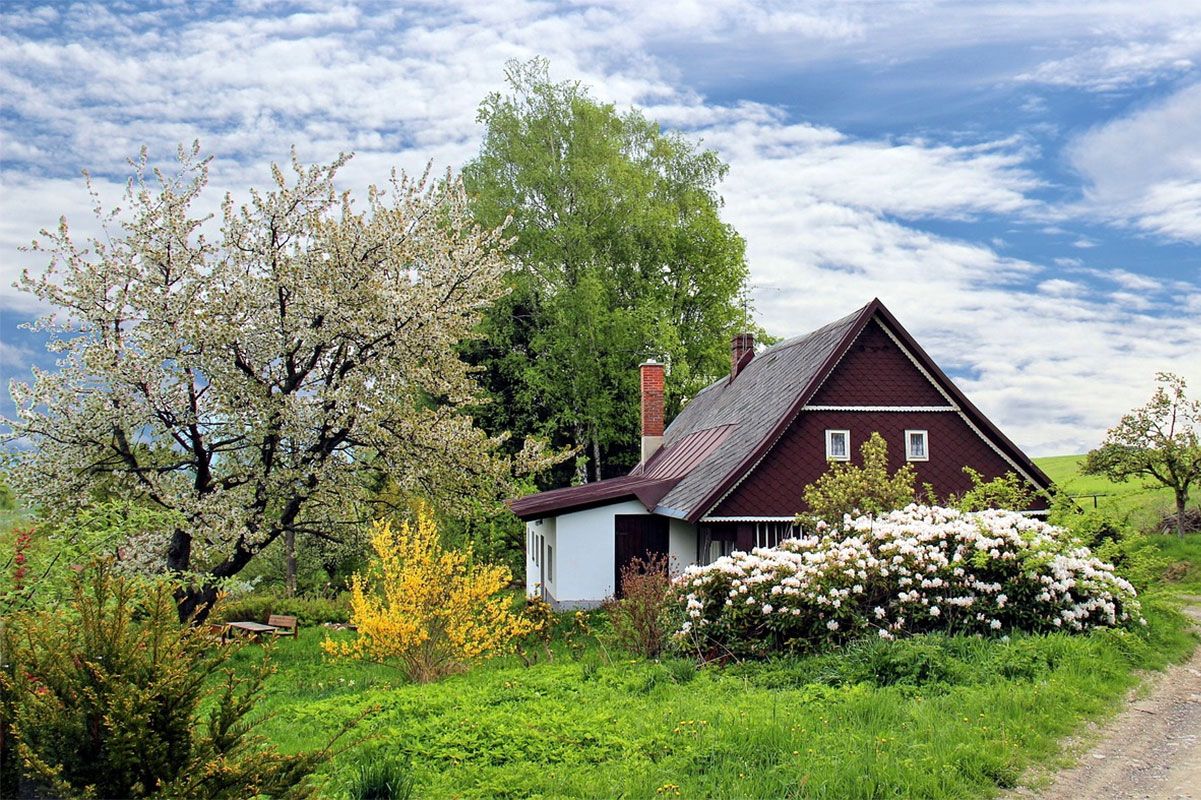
[252, 384]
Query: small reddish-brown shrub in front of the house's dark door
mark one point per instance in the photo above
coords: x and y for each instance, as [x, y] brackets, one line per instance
[640, 619]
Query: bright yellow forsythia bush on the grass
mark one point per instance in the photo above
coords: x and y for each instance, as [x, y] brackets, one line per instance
[426, 607]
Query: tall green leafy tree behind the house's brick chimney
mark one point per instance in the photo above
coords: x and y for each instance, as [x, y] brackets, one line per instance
[623, 256]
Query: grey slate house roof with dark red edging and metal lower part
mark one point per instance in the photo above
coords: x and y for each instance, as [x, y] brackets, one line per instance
[731, 426]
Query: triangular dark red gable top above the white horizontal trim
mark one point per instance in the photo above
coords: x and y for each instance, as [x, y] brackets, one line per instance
[876, 373]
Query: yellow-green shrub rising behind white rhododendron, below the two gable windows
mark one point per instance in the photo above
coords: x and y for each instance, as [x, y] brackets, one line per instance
[850, 489]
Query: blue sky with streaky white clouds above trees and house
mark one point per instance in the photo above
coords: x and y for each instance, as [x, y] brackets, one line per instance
[1020, 183]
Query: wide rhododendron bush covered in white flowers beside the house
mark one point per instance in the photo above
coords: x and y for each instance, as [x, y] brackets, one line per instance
[911, 571]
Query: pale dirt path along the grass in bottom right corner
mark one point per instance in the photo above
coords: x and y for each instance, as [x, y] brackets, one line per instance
[1150, 751]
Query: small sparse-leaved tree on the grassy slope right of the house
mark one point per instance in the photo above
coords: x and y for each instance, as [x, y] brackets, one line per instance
[1160, 441]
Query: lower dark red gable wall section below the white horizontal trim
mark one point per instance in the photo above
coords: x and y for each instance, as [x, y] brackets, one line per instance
[776, 487]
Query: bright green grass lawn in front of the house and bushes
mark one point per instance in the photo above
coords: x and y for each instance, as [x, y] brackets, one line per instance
[834, 726]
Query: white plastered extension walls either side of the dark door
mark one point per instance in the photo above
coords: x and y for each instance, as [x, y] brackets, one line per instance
[579, 570]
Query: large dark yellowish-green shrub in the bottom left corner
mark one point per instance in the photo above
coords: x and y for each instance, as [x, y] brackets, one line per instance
[105, 700]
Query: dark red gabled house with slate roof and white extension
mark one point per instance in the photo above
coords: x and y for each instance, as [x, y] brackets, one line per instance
[730, 473]
